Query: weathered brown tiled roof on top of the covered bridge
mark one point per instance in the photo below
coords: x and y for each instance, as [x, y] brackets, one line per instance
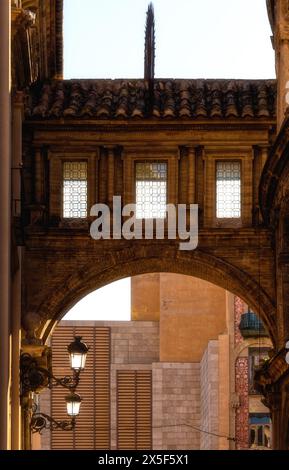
[171, 99]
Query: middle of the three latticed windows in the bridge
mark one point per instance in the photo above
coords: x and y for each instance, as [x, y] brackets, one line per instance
[151, 190]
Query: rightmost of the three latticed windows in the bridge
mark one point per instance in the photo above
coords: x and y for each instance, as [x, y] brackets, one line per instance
[228, 179]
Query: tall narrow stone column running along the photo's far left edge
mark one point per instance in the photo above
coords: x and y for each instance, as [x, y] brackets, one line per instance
[5, 200]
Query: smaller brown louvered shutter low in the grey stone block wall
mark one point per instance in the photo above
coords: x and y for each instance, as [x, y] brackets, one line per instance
[134, 409]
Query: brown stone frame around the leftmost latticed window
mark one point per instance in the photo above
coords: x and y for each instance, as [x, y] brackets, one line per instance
[56, 159]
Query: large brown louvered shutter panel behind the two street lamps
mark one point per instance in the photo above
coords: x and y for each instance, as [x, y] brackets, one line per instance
[93, 423]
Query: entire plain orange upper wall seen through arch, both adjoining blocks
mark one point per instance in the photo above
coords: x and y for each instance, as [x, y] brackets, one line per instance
[191, 312]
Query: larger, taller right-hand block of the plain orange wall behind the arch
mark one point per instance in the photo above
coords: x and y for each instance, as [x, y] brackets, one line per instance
[193, 312]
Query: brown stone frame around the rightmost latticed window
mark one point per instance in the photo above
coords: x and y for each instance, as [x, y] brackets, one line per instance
[244, 155]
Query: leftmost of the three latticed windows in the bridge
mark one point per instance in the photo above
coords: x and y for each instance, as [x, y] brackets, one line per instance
[75, 189]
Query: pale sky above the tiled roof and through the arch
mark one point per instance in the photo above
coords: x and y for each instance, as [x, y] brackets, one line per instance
[194, 39]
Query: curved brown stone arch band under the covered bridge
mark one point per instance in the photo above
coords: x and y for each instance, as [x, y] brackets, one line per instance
[144, 258]
